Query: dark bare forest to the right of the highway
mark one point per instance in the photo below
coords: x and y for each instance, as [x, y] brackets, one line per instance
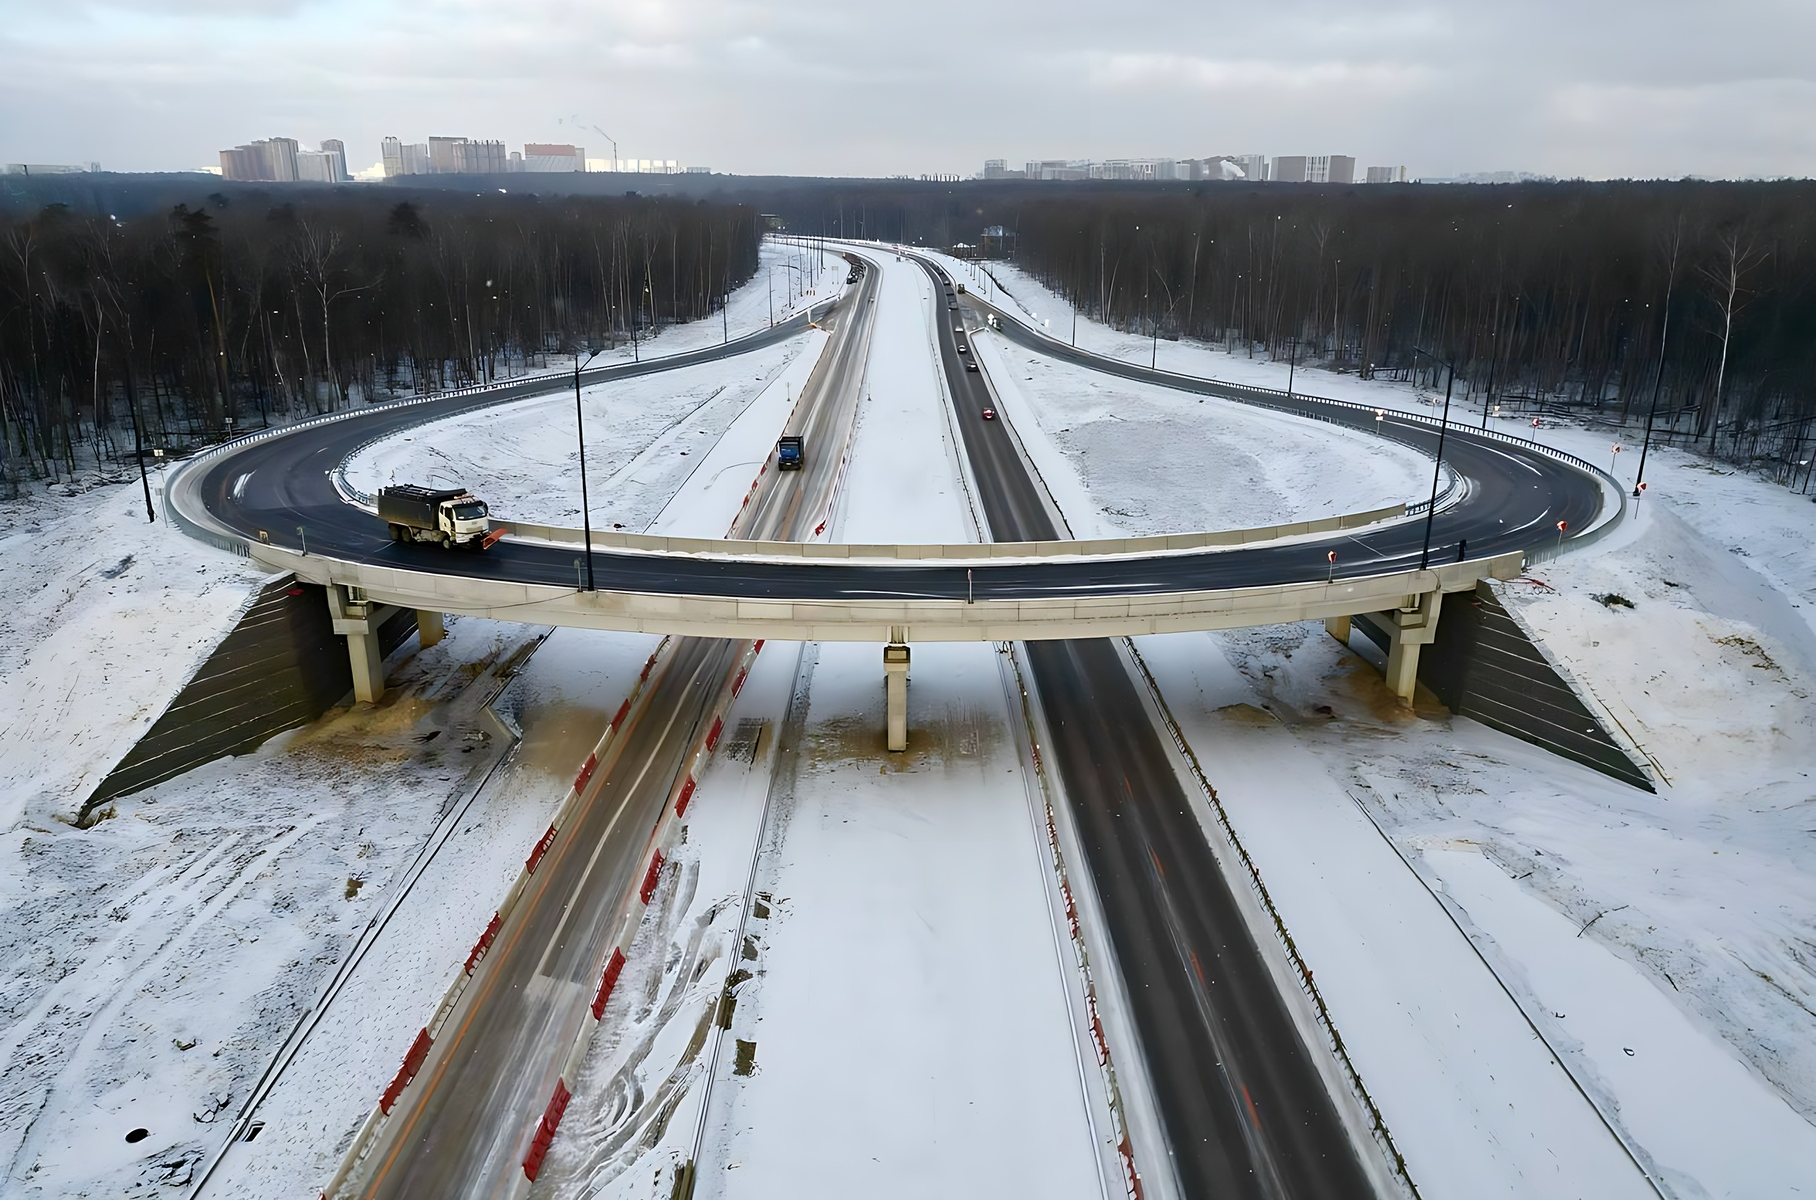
[1597, 299]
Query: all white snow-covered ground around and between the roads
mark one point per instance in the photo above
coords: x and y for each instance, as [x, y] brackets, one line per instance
[909, 1003]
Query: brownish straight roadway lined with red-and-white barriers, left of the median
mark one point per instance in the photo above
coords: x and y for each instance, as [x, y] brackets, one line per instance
[464, 1128]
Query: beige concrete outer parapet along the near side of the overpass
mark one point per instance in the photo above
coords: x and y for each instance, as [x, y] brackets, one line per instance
[874, 620]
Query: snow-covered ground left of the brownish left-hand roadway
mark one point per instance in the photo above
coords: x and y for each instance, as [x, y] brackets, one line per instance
[153, 965]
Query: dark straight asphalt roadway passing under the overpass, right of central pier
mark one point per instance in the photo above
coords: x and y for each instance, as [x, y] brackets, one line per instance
[1245, 1108]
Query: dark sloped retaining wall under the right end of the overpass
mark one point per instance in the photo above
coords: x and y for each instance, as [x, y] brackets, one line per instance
[1488, 667]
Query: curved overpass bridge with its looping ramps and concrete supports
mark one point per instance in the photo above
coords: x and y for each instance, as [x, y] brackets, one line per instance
[281, 500]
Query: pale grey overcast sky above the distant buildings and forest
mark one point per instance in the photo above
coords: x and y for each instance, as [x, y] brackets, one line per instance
[1594, 88]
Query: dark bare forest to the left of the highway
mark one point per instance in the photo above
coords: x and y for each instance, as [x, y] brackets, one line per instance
[232, 311]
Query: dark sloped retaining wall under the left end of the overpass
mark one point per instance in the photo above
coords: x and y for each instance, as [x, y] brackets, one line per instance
[281, 667]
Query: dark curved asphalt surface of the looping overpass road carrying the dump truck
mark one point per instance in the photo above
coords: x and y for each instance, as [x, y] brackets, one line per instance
[1515, 498]
